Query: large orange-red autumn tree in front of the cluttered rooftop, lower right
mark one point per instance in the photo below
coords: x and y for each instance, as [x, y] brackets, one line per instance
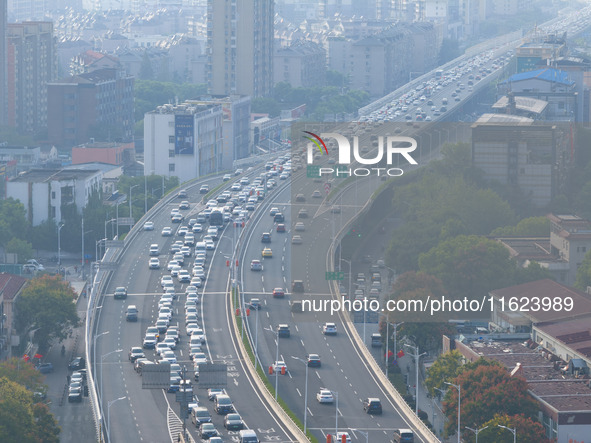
[487, 390]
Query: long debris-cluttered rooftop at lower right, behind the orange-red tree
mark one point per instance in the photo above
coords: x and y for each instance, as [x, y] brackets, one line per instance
[546, 381]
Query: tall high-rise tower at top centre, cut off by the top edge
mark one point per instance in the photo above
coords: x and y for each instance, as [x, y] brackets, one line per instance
[240, 47]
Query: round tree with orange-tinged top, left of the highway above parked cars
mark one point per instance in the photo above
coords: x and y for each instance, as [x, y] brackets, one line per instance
[47, 305]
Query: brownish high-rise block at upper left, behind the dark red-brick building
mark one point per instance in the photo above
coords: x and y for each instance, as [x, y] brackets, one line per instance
[31, 65]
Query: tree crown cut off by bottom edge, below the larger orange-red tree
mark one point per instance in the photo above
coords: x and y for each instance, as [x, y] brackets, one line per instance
[527, 430]
